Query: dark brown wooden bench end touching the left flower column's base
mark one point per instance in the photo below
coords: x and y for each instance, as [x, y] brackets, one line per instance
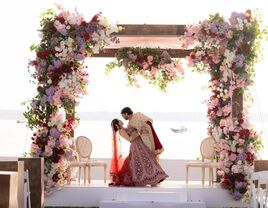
[35, 167]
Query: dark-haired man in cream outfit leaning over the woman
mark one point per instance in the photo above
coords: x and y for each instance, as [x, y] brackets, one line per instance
[144, 126]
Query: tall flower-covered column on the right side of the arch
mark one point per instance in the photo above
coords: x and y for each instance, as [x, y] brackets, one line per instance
[228, 50]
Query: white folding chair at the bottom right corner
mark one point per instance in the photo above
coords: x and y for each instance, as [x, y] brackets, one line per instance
[258, 189]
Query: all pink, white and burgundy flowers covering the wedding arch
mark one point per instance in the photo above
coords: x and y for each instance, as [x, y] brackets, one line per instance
[225, 49]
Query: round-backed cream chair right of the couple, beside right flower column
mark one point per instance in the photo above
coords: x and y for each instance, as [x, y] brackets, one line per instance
[207, 151]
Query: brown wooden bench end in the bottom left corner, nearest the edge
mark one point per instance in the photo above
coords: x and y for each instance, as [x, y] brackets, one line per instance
[9, 189]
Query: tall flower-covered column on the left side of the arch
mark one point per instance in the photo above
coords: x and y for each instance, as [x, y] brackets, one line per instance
[58, 70]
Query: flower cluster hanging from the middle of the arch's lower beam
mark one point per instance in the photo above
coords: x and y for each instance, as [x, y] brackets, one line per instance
[153, 64]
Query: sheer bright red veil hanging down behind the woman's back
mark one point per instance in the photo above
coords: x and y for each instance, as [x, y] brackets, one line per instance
[117, 160]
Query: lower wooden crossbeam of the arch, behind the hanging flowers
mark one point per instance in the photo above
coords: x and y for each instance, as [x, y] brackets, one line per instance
[174, 53]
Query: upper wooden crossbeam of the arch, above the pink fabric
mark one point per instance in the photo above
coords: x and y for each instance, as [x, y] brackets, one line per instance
[151, 30]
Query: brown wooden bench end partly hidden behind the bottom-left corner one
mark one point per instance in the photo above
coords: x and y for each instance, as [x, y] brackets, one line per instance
[16, 166]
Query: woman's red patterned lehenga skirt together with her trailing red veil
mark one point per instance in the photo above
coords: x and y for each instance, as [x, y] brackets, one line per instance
[140, 168]
